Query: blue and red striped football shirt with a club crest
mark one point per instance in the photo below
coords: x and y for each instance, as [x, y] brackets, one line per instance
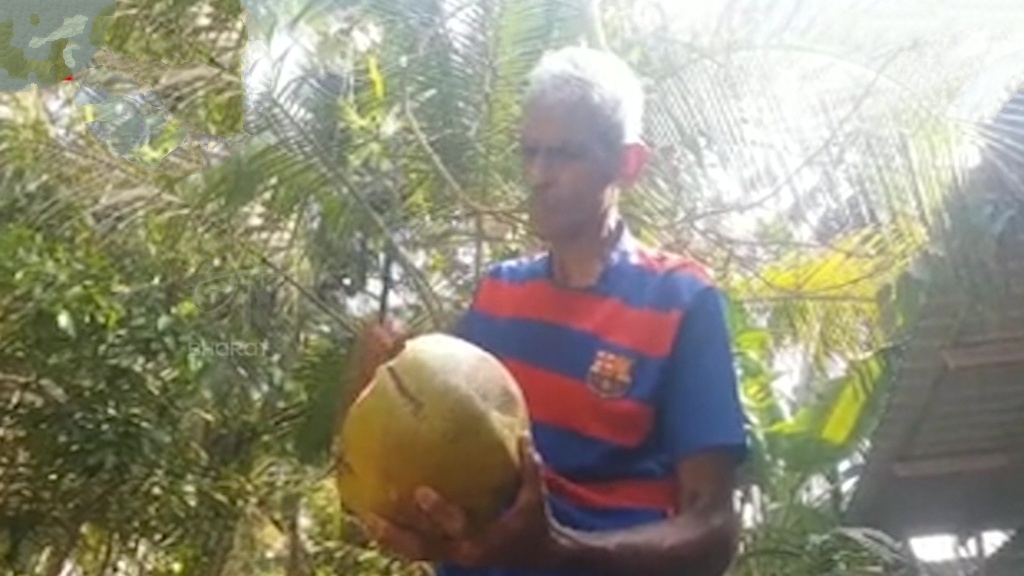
[623, 380]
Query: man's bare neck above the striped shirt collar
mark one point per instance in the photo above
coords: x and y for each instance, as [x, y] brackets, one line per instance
[579, 264]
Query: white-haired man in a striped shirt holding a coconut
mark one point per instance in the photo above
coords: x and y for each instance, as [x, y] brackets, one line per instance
[624, 357]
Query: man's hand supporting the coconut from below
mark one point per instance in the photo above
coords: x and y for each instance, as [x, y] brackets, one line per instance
[522, 539]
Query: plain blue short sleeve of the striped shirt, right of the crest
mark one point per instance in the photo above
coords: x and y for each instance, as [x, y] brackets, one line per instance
[702, 408]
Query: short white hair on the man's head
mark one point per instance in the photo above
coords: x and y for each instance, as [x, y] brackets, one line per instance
[596, 79]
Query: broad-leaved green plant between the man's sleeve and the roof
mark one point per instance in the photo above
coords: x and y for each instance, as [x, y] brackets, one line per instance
[796, 491]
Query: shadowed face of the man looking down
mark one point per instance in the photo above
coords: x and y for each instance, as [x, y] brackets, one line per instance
[569, 174]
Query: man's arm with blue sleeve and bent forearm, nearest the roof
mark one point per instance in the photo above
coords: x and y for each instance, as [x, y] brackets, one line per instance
[703, 427]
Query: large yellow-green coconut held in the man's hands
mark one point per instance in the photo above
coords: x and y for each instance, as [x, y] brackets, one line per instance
[444, 414]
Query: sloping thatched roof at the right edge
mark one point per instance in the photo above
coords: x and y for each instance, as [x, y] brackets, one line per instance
[949, 455]
